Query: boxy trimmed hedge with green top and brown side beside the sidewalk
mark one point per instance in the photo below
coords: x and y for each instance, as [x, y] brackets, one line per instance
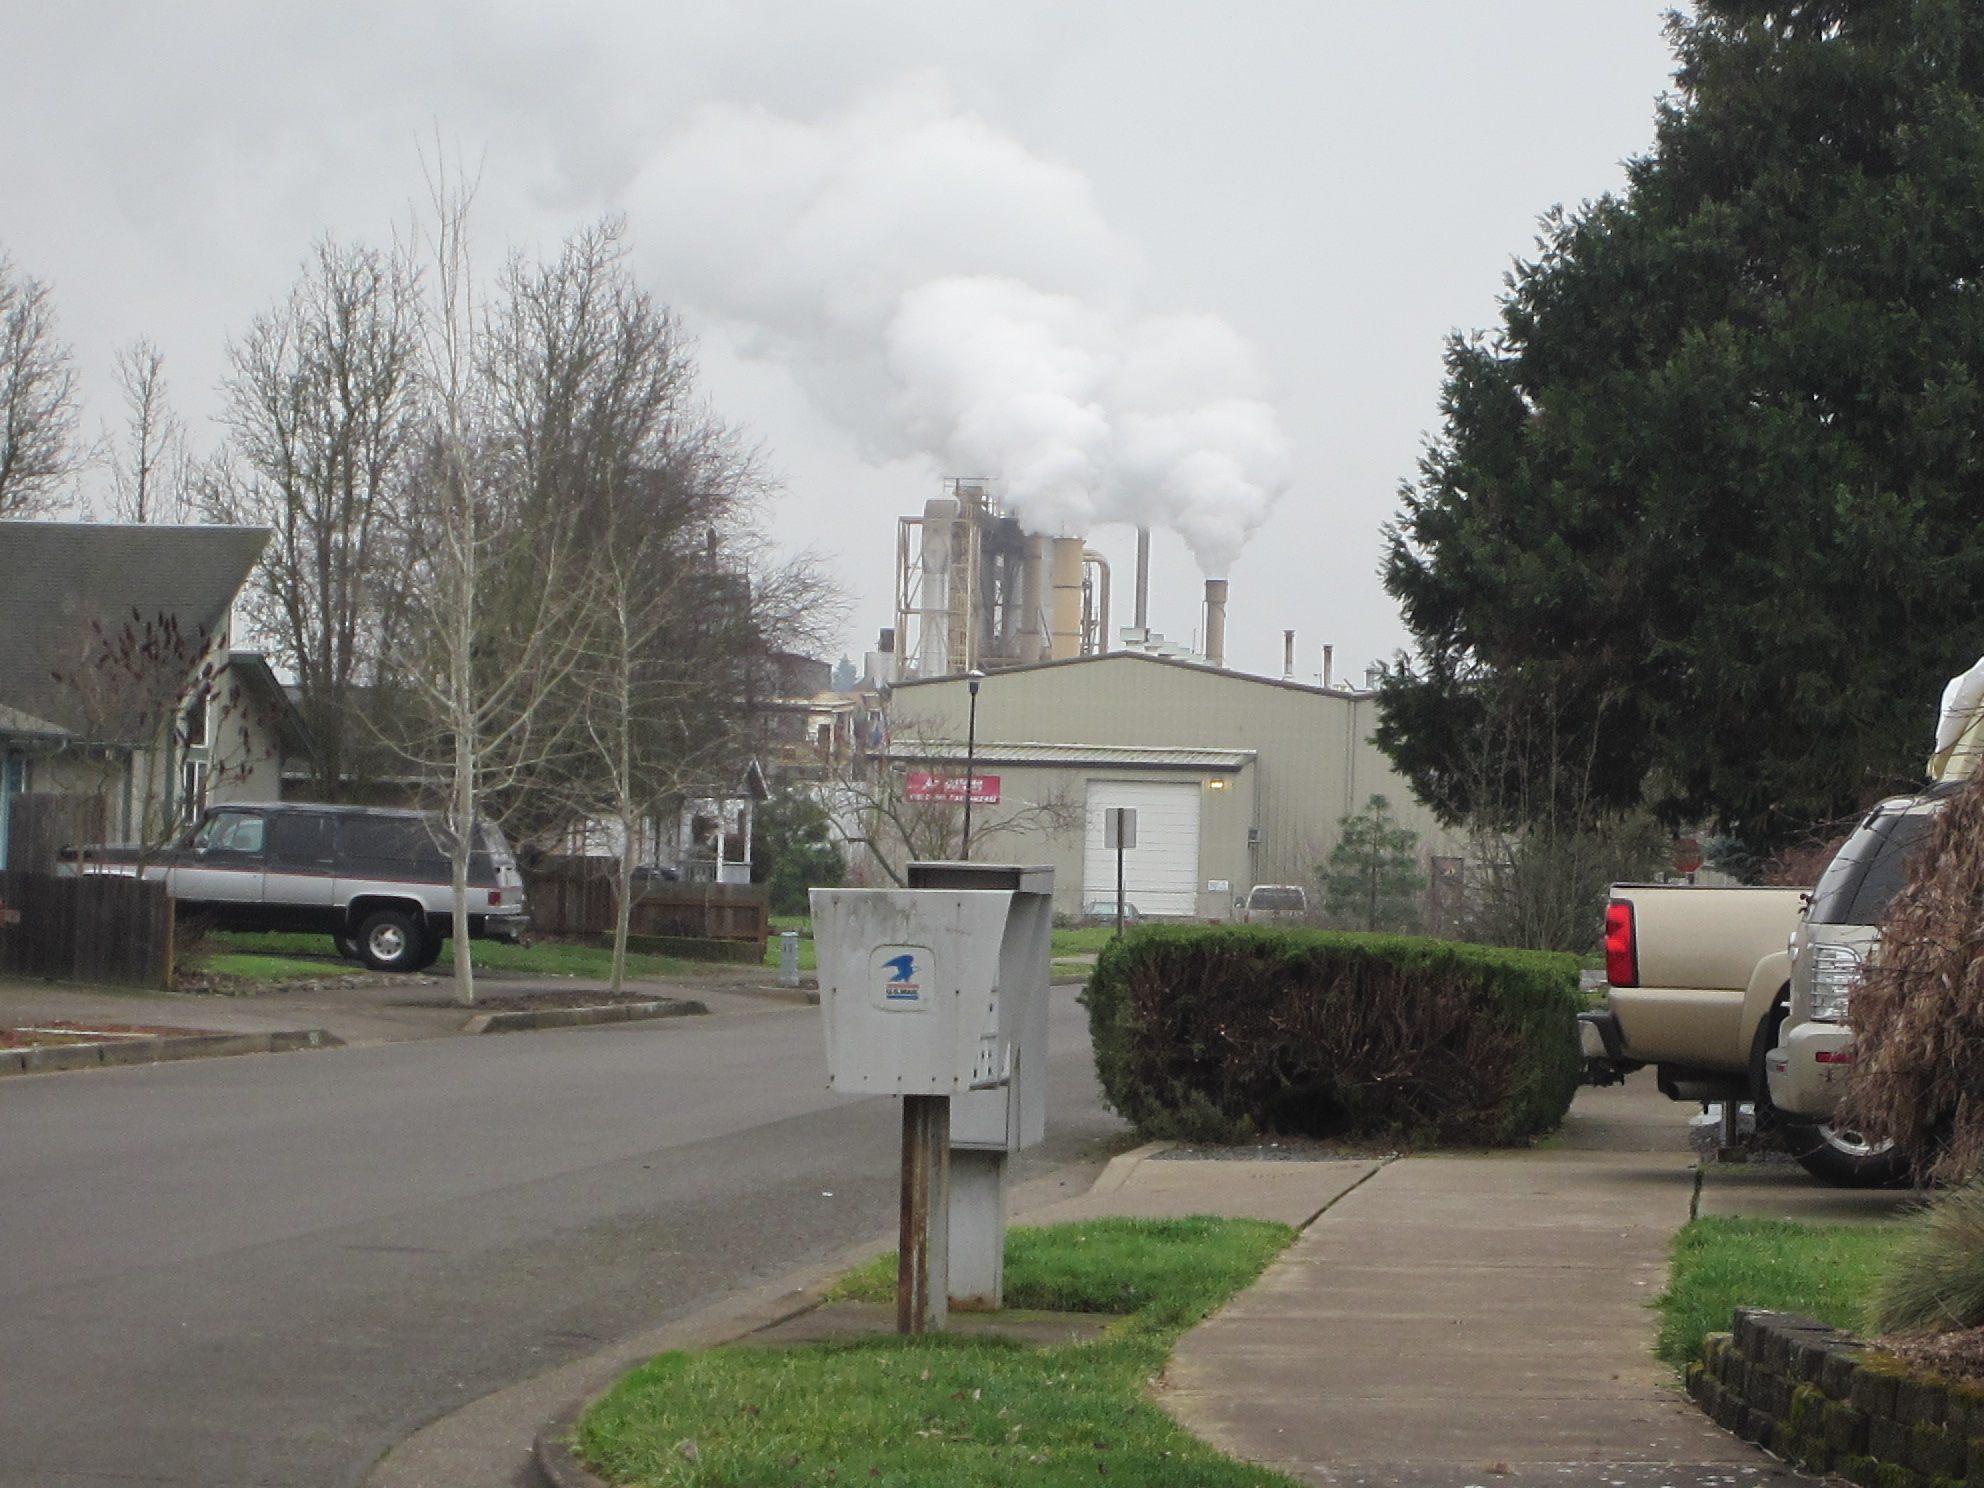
[1227, 1033]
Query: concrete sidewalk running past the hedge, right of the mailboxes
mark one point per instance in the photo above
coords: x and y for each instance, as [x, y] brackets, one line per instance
[1477, 1320]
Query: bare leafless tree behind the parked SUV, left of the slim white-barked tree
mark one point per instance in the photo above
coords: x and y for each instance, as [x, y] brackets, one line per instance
[324, 402]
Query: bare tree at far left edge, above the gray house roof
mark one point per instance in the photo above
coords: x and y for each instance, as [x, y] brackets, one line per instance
[37, 396]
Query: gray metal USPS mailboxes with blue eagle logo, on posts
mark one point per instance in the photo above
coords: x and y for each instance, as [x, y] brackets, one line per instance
[941, 991]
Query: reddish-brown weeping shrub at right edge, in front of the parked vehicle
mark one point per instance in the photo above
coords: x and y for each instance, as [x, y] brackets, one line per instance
[1920, 1011]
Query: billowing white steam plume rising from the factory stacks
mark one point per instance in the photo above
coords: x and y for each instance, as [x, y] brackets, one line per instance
[937, 287]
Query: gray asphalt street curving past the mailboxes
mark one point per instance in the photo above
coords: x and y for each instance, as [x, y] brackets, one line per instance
[269, 1271]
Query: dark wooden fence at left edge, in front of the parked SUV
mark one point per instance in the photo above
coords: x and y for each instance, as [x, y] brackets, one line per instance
[96, 930]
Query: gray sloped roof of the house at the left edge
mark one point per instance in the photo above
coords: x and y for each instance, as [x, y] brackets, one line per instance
[61, 580]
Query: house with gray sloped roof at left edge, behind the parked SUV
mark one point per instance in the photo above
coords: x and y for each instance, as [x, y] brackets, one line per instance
[120, 693]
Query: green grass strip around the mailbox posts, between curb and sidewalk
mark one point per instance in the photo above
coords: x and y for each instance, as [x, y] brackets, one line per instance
[965, 1414]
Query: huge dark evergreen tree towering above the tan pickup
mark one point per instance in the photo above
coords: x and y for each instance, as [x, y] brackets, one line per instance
[1713, 487]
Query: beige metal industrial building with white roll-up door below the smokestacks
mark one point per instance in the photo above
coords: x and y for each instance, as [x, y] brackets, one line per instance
[1237, 779]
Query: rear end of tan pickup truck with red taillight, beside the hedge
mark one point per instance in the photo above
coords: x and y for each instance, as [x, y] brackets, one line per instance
[1697, 985]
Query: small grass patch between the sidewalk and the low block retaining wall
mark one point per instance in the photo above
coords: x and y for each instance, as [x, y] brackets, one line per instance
[1820, 1271]
